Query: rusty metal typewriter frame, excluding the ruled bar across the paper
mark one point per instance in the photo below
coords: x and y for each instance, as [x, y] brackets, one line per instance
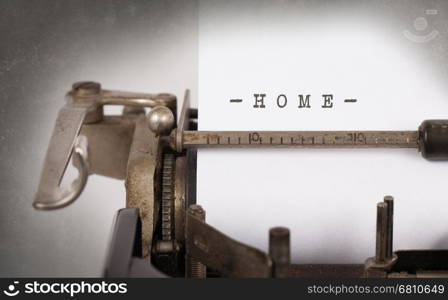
[162, 232]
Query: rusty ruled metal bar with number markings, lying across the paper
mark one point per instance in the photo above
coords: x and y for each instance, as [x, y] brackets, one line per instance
[300, 139]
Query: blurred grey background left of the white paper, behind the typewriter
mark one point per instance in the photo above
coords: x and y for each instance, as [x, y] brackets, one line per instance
[148, 46]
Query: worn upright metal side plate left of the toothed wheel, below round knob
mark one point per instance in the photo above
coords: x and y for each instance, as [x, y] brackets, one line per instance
[142, 182]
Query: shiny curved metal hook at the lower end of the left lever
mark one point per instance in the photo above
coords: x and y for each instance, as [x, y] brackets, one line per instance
[58, 197]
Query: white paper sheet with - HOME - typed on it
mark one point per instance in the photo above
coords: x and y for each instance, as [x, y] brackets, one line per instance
[326, 197]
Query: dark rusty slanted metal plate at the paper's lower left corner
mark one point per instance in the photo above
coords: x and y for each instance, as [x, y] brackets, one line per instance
[219, 252]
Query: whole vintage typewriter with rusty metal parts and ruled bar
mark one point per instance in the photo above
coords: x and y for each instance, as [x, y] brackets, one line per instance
[162, 231]
